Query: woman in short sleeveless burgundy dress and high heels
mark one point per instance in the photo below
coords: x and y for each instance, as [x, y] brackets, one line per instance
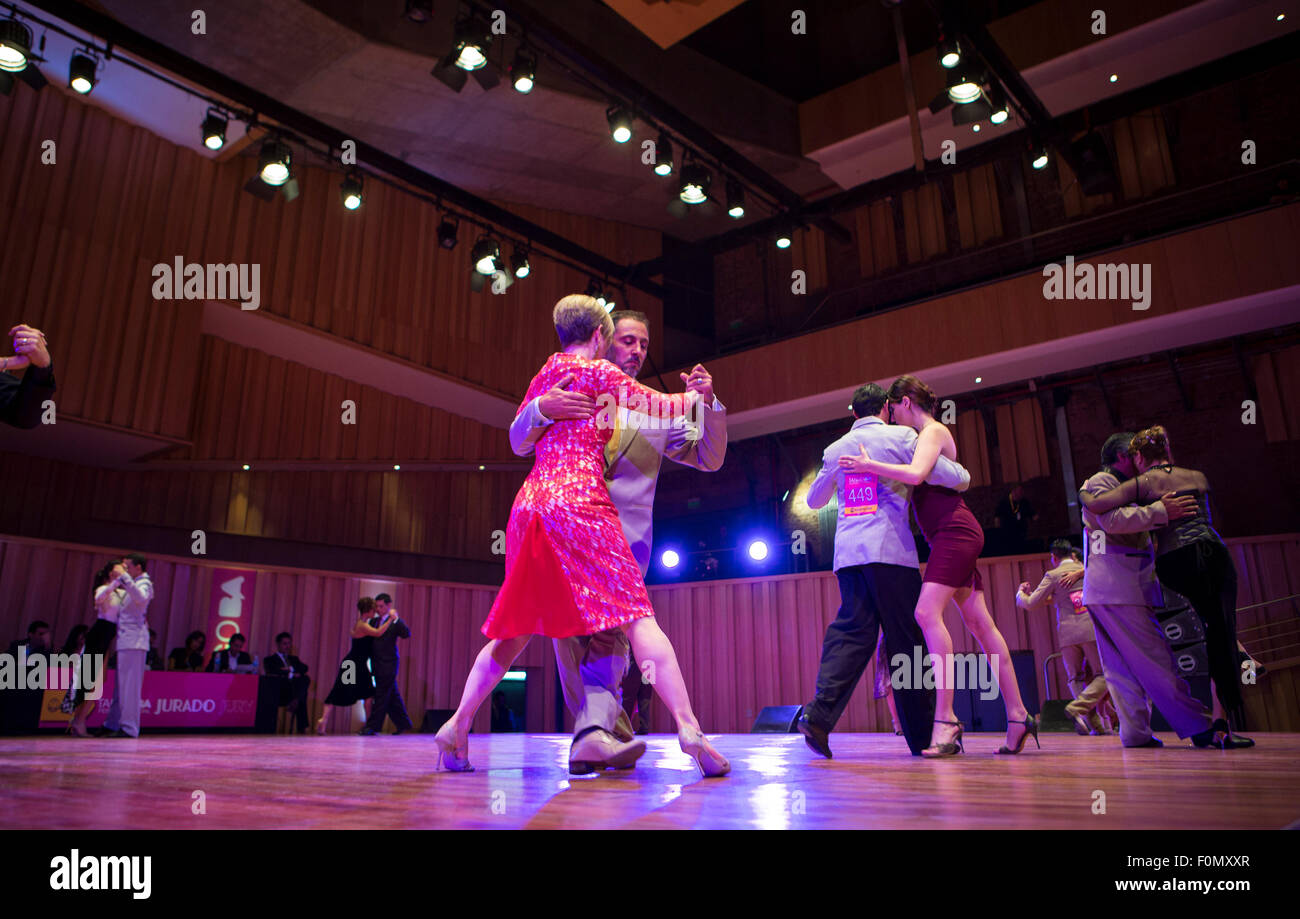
[956, 541]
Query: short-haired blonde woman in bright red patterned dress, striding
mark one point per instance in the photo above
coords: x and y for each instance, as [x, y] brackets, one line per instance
[569, 567]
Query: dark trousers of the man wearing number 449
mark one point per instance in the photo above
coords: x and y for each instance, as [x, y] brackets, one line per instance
[874, 599]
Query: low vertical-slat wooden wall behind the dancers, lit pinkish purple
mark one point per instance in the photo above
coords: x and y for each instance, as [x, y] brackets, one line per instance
[742, 644]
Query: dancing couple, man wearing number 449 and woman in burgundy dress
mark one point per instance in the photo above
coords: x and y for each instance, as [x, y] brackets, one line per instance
[878, 570]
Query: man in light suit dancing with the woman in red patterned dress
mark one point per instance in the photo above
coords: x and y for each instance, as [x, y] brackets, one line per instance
[592, 667]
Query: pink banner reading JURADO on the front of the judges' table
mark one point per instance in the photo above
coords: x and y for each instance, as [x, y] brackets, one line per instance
[172, 700]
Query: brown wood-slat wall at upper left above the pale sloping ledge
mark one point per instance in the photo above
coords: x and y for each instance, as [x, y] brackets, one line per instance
[84, 235]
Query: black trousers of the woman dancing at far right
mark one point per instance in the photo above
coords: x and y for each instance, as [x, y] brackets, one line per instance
[1204, 574]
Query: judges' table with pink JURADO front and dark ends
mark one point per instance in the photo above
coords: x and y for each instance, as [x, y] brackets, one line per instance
[170, 701]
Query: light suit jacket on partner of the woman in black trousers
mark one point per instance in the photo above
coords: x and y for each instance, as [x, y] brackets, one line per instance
[1124, 574]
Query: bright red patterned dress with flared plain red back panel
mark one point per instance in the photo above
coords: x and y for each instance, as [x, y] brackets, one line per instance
[569, 567]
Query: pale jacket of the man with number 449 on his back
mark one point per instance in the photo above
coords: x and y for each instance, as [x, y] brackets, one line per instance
[883, 537]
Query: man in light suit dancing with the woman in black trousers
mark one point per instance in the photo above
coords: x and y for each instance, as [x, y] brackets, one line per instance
[1121, 592]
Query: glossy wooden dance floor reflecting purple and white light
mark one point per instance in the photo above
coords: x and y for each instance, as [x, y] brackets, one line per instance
[387, 782]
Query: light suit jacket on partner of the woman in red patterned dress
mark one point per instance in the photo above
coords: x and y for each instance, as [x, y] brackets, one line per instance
[634, 474]
